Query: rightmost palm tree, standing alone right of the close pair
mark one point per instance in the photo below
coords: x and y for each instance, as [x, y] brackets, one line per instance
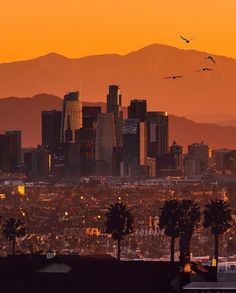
[217, 216]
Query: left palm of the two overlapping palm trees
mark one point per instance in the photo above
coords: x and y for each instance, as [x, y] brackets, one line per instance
[168, 220]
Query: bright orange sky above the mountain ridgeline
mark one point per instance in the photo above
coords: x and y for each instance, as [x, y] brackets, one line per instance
[76, 28]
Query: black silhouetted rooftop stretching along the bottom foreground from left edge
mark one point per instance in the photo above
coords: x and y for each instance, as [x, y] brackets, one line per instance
[73, 273]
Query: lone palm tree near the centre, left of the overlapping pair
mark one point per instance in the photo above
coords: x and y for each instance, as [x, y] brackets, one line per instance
[119, 223]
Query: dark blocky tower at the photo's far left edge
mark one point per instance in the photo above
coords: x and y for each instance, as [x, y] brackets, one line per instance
[8, 152]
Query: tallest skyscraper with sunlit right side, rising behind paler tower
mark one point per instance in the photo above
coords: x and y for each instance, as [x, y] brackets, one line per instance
[114, 105]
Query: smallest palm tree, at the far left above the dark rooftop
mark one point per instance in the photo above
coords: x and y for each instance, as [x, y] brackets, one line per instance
[13, 229]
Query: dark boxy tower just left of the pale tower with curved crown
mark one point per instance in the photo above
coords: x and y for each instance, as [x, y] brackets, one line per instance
[51, 130]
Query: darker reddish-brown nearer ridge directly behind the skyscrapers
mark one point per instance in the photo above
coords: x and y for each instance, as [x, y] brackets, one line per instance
[27, 117]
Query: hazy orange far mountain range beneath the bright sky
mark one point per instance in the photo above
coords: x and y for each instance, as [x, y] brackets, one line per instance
[141, 74]
